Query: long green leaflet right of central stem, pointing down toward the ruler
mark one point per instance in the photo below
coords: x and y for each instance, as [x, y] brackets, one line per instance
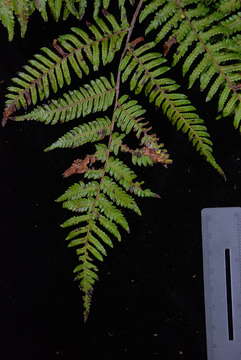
[144, 70]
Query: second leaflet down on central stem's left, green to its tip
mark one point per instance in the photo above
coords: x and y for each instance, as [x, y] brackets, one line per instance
[90, 98]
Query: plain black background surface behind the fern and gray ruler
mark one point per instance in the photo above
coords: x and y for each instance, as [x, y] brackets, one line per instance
[149, 300]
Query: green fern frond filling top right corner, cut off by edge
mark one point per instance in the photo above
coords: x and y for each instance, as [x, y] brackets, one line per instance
[202, 39]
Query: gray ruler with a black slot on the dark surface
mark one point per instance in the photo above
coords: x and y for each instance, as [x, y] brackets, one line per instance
[221, 240]
